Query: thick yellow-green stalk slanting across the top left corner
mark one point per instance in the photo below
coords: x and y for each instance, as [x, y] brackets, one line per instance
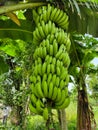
[11, 8]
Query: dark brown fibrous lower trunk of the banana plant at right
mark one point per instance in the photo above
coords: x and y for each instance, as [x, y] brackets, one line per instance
[83, 112]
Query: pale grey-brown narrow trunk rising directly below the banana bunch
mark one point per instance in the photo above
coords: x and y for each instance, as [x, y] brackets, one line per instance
[62, 119]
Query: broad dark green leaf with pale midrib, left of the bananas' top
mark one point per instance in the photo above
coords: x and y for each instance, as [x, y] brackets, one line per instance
[8, 29]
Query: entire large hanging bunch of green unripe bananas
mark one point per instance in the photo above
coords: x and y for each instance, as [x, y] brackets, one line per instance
[49, 78]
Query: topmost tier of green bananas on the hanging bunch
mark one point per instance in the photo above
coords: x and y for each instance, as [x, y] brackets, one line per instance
[53, 14]
